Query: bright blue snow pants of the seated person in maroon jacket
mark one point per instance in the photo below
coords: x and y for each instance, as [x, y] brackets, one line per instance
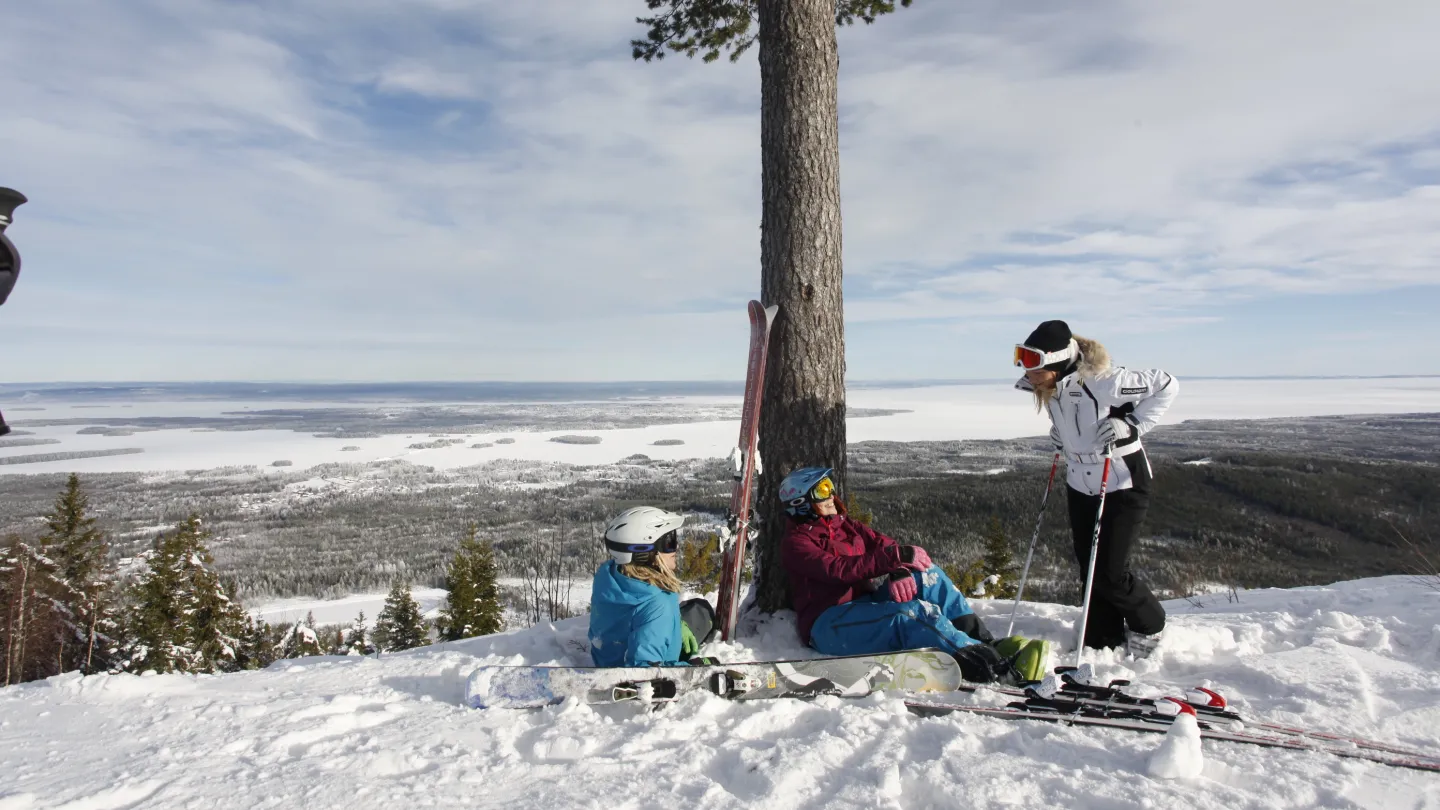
[875, 623]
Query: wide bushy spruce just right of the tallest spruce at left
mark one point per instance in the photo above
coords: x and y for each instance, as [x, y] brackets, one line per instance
[182, 616]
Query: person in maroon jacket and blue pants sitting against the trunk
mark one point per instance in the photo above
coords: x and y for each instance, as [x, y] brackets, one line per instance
[858, 592]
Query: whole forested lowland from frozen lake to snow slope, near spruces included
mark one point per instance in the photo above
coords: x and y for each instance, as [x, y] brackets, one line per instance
[1248, 505]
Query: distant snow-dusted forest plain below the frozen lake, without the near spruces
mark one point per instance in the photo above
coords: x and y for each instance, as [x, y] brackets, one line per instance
[1254, 504]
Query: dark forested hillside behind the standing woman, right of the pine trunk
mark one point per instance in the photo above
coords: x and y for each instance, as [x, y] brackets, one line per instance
[1249, 521]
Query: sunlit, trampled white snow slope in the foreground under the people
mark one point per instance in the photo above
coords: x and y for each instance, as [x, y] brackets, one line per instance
[381, 734]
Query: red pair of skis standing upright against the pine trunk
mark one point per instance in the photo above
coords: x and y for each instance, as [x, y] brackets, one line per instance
[747, 469]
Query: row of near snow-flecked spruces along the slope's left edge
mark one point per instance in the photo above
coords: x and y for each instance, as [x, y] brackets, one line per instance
[68, 606]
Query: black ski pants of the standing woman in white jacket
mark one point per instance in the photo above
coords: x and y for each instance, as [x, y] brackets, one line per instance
[1118, 599]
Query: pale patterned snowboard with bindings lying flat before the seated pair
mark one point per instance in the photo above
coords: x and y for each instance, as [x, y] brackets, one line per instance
[850, 677]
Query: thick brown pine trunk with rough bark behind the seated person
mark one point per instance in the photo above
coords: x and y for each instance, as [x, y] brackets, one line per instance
[804, 416]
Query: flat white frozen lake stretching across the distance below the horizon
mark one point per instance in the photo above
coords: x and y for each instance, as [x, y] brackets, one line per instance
[983, 411]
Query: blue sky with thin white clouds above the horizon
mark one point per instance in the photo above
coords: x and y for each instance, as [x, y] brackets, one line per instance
[487, 190]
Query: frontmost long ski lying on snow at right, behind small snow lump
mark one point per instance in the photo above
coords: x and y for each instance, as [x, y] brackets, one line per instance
[1082, 711]
